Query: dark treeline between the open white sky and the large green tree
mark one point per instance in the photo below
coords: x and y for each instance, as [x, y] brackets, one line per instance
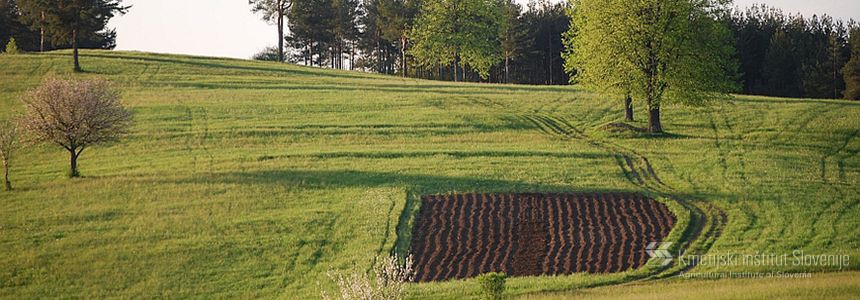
[523, 43]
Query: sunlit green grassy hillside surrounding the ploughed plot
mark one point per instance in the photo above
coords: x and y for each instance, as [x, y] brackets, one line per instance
[252, 179]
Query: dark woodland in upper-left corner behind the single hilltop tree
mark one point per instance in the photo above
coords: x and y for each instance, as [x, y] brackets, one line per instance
[25, 28]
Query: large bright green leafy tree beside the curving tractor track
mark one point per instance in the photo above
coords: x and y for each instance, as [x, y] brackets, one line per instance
[658, 50]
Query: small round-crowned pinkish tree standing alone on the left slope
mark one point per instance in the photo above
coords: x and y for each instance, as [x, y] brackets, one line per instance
[75, 114]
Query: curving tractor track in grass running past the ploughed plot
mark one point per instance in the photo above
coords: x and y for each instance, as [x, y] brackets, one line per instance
[706, 220]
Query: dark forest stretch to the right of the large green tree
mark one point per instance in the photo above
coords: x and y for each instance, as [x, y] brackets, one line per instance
[791, 56]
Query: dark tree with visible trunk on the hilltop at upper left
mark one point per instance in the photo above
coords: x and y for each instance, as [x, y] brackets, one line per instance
[70, 21]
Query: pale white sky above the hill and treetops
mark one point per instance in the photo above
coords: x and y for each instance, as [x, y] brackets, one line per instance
[227, 28]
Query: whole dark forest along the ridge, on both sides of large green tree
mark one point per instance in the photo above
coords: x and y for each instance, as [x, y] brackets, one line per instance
[778, 54]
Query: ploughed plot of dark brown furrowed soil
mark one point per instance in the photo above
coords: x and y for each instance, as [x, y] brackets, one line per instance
[461, 236]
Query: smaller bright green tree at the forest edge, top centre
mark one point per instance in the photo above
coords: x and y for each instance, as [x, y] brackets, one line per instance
[461, 33]
